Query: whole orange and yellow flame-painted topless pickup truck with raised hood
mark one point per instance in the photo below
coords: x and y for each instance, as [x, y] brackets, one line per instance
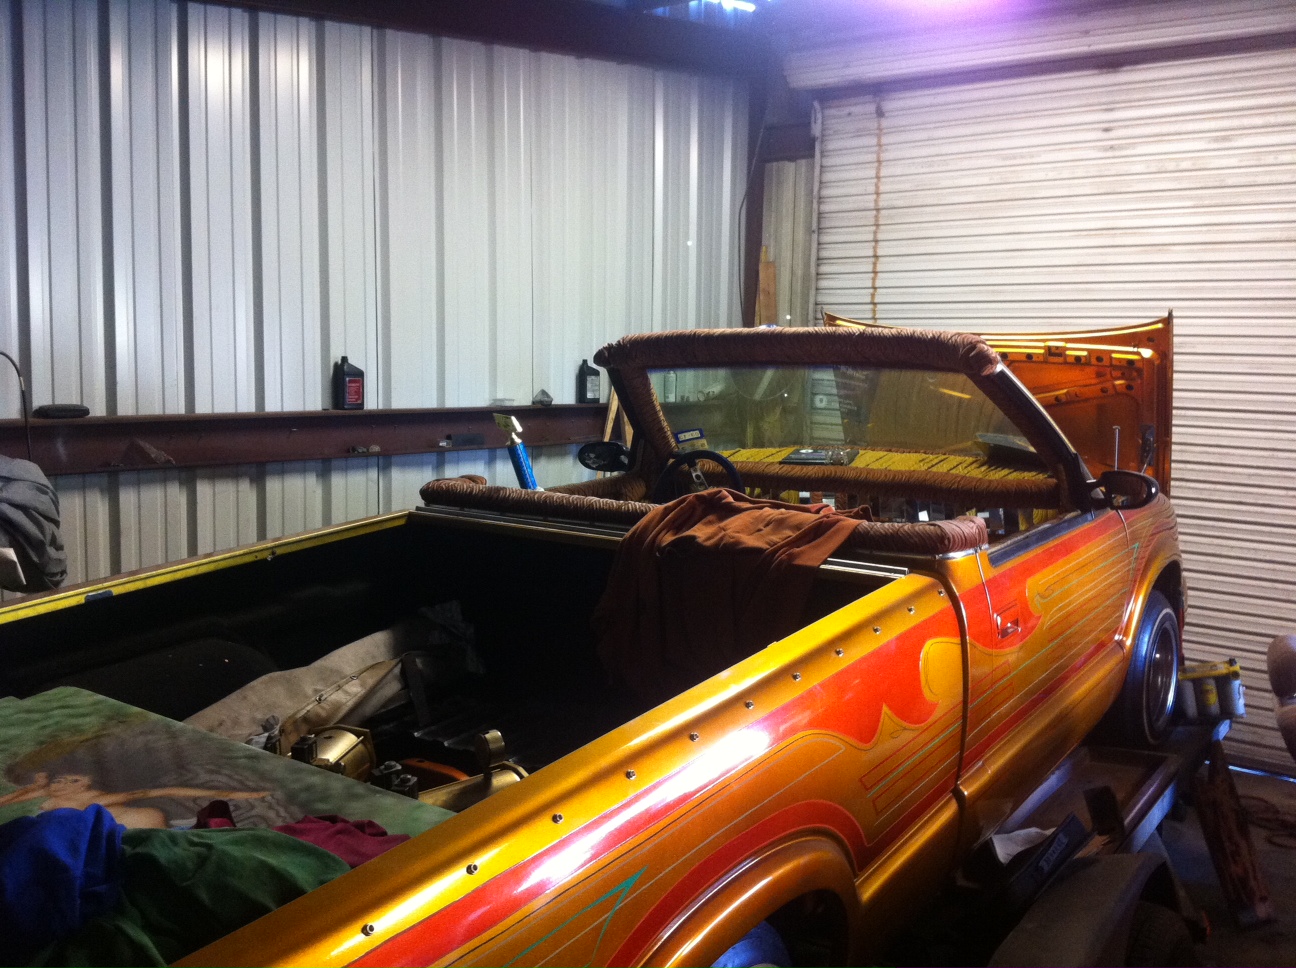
[922, 572]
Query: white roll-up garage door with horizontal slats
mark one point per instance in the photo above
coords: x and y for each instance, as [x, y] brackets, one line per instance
[1109, 196]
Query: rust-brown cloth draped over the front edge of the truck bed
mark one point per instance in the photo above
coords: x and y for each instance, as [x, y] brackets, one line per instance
[707, 581]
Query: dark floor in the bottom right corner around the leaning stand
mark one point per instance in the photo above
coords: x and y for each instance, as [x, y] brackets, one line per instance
[1264, 947]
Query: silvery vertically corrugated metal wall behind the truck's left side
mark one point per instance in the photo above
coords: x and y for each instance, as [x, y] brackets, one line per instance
[203, 208]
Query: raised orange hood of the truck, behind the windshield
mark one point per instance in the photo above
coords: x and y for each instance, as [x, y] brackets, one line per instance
[1109, 391]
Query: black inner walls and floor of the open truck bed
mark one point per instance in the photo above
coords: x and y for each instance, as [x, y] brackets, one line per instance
[527, 590]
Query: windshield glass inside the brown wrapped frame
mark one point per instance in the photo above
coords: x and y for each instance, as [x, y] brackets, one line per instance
[834, 410]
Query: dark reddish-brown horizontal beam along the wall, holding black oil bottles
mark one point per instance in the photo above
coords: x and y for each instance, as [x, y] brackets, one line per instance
[99, 445]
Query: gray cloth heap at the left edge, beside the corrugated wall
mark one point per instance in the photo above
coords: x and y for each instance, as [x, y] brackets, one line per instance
[29, 524]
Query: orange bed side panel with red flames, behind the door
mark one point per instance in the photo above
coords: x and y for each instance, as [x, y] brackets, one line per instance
[842, 741]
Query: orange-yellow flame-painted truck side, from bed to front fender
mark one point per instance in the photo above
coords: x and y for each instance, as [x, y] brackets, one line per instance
[856, 756]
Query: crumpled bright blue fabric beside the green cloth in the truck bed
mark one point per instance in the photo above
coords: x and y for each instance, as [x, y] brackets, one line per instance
[58, 870]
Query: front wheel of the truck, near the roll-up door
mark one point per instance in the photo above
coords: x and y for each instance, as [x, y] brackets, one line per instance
[1144, 713]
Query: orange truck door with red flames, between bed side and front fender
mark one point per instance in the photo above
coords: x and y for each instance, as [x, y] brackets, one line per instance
[1045, 655]
